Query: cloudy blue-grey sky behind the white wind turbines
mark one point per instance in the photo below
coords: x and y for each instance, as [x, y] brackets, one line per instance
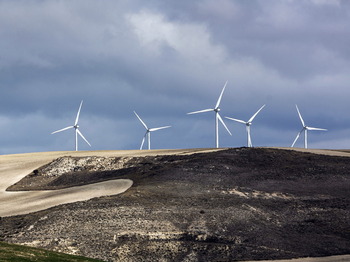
[165, 58]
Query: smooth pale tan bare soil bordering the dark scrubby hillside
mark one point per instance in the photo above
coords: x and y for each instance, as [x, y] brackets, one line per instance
[15, 167]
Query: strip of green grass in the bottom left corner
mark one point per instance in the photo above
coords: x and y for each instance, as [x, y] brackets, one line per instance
[11, 252]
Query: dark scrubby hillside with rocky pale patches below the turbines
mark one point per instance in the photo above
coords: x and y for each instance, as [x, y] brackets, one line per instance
[235, 204]
